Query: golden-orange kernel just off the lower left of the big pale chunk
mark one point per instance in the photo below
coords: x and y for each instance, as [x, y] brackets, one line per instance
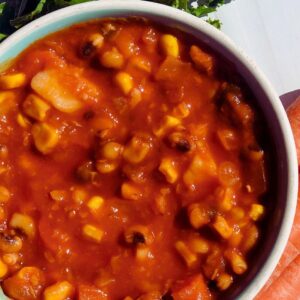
[35, 107]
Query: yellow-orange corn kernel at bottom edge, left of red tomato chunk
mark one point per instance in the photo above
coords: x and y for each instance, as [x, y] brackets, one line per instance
[59, 291]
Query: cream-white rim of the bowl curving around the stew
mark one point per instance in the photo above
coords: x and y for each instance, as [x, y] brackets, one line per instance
[137, 6]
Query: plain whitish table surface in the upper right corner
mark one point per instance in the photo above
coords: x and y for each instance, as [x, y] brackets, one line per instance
[269, 32]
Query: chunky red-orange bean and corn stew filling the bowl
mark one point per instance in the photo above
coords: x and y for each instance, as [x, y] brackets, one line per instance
[130, 167]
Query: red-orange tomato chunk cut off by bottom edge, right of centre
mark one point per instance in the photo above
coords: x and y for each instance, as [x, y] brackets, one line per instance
[194, 288]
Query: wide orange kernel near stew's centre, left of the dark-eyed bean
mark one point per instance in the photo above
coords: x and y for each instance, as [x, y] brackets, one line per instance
[136, 150]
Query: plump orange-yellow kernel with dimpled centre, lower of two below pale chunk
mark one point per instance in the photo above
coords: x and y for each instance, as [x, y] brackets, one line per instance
[45, 137]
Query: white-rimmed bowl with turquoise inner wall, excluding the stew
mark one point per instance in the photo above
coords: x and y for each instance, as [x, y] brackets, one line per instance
[279, 225]
